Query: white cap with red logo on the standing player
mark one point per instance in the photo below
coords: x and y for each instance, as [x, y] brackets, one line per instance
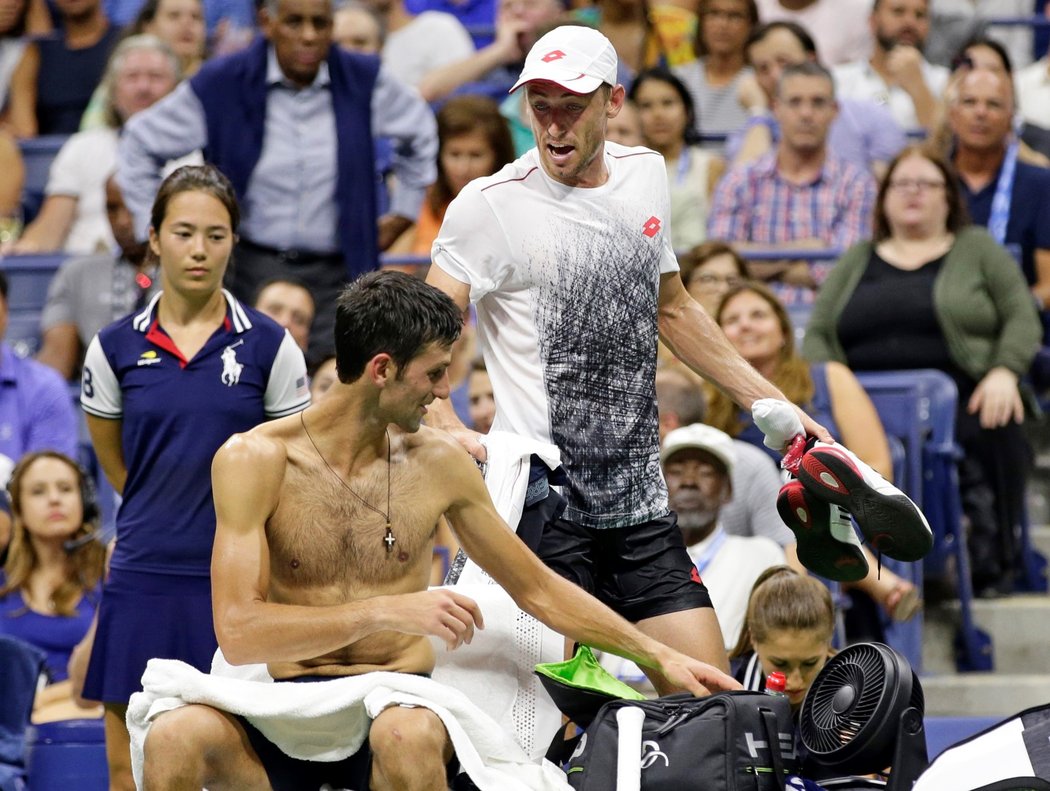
[579, 59]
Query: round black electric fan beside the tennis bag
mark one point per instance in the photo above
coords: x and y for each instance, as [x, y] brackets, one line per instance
[864, 714]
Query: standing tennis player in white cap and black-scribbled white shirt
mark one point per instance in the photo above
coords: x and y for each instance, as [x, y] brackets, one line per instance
[566, 254]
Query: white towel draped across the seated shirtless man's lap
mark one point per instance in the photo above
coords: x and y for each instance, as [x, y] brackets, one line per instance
[329, 721]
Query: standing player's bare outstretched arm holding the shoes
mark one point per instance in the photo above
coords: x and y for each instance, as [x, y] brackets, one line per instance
[695, 338]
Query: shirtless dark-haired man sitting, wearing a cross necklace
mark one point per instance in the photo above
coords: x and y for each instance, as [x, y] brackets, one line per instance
[326, 525]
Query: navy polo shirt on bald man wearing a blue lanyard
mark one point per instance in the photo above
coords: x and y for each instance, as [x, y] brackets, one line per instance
[1030, 223]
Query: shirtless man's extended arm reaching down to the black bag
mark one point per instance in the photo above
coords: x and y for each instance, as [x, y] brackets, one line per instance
[557, 602]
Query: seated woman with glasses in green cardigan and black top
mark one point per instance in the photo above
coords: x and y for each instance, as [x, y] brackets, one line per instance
[932, 292]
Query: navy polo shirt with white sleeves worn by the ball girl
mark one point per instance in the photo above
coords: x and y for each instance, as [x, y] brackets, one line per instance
[176, 414]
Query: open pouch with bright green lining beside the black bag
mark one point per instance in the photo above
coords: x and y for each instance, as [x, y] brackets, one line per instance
[581, 686]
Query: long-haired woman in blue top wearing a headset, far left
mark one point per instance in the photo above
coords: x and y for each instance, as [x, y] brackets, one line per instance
[50, 586]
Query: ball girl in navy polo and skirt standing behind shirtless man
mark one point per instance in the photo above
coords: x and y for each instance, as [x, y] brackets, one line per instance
[163, 389]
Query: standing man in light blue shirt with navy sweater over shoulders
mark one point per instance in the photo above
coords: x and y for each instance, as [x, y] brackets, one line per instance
[292, 122]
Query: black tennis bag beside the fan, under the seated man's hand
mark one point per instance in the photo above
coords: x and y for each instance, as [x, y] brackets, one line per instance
[725, 742]
